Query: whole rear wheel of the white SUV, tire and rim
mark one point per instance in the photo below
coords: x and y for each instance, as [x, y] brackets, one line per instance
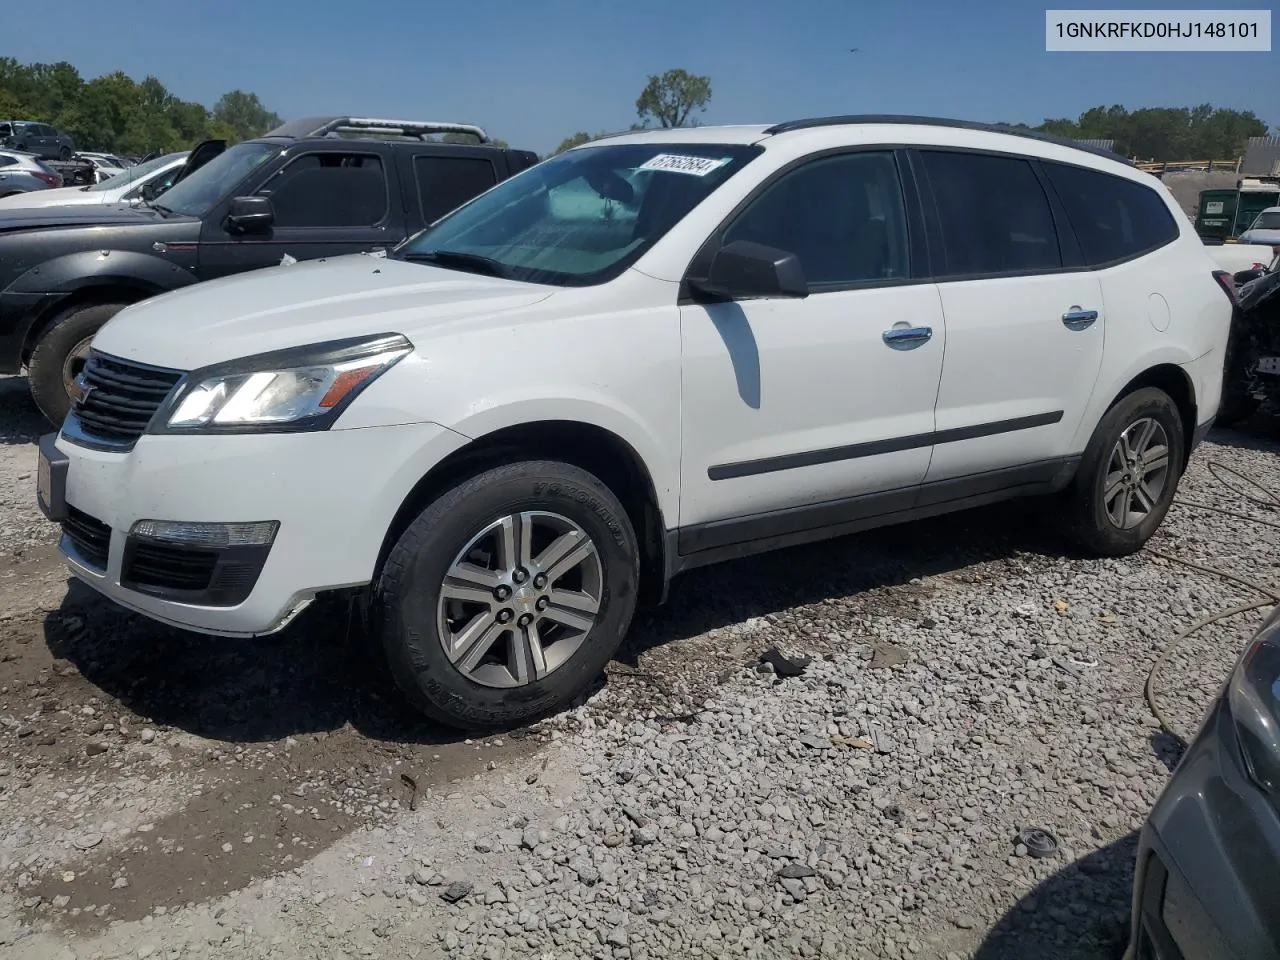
[1130, 474]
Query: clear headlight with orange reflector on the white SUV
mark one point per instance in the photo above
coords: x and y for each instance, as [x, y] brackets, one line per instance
[295, 390]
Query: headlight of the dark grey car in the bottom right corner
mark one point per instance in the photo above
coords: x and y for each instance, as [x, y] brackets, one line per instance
[1254, 696]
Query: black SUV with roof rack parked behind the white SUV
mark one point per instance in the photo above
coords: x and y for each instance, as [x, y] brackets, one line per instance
[310, 189]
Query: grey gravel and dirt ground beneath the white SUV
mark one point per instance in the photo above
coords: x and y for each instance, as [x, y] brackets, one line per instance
[175, 797]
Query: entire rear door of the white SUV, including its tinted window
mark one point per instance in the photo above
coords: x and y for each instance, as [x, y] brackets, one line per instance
[1025, 324]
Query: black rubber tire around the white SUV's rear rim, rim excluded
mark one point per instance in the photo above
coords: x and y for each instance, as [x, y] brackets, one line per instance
[1090, 523]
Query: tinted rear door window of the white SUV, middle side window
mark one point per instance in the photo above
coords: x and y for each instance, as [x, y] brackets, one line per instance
[995, 216]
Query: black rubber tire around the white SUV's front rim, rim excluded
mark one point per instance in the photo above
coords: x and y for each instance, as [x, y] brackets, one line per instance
[409, 589]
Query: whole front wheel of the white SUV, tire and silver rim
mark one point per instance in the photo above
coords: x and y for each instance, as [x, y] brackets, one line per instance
[506, 597]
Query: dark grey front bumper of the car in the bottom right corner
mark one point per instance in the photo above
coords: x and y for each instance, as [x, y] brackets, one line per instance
[1208, 860]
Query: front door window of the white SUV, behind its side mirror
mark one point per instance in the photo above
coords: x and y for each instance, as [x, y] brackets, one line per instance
[843, 217]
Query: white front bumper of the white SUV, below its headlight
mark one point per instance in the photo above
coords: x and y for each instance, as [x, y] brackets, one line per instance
[333, 493]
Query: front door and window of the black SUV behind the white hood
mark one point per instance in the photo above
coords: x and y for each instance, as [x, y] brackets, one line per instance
[328, 202]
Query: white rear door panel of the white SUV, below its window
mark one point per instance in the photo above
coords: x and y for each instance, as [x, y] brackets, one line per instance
[1018, 377]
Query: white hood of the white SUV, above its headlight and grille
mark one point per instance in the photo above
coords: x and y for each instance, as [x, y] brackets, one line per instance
[309, 303]
